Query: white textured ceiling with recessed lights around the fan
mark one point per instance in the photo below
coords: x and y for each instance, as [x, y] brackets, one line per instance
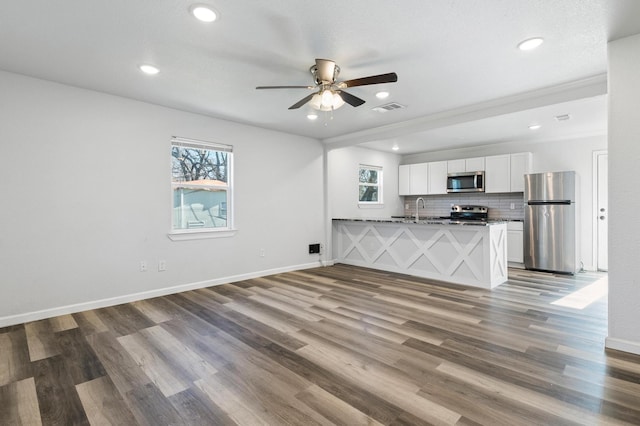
[460, 76]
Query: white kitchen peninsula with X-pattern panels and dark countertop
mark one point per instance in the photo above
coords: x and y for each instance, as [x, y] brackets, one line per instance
[468, 254]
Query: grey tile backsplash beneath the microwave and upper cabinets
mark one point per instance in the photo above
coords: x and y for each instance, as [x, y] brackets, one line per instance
[440, 205]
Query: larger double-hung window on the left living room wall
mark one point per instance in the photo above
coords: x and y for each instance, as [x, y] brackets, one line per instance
[201, 186]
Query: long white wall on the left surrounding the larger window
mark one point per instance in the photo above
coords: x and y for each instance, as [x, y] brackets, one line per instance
[86, 196]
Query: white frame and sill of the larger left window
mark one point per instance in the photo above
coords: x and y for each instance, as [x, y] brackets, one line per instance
[200, 233]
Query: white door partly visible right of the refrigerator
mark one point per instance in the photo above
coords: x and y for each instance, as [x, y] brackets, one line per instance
[601, 204]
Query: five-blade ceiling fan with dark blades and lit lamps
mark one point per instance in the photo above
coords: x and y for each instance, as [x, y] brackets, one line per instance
[331, 94]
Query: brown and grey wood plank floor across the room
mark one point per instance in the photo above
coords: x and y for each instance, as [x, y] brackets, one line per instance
[336, 345]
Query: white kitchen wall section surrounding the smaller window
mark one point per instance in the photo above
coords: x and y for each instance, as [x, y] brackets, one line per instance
[342, 181]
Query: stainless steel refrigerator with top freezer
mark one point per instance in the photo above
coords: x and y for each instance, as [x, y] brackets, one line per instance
[550, 222]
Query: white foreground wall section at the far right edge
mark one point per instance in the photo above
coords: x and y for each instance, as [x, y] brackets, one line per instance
[624, 158]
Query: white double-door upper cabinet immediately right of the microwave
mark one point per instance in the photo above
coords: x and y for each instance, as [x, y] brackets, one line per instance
[505, 173]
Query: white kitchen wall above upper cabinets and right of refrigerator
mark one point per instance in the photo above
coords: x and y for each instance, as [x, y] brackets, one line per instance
[550, 156]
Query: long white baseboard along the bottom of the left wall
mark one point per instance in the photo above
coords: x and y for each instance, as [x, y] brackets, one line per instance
[127, 298]
